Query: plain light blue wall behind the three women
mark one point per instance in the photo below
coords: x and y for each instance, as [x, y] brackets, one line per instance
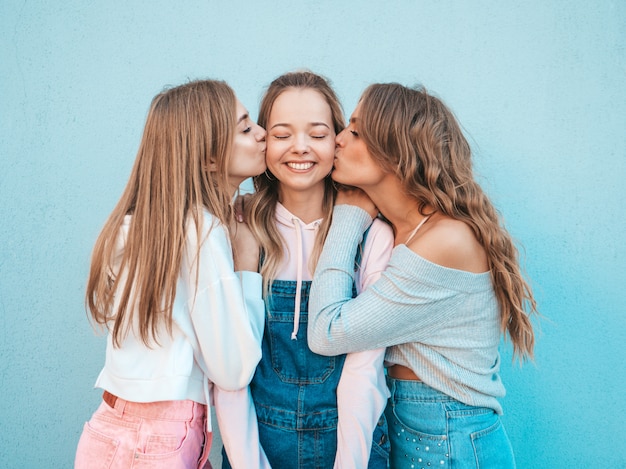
[539, 87]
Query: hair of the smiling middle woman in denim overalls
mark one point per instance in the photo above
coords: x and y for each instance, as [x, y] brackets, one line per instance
[262, 208]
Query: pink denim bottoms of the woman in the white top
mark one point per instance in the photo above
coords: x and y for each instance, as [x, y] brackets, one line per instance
[169, 434]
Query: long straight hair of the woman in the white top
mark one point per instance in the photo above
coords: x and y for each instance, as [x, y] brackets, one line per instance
[188, 129]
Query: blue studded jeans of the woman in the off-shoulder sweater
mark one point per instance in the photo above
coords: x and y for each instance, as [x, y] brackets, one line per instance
[430, 429]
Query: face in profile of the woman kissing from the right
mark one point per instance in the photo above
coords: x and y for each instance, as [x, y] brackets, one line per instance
[354, 164]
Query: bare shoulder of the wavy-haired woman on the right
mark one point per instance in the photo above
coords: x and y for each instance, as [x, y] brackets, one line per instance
[450, 243]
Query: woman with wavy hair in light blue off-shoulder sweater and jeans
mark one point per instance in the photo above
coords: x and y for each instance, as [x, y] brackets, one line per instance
[453, 285]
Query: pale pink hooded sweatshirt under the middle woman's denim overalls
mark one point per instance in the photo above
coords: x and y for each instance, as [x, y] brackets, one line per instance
[362, 392]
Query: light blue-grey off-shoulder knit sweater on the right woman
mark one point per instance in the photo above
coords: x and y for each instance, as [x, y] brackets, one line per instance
[444, 324]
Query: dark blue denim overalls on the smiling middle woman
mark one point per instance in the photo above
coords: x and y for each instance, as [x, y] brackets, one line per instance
[295, 391]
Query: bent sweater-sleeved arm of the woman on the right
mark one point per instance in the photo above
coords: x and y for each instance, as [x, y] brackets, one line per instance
[402, 306]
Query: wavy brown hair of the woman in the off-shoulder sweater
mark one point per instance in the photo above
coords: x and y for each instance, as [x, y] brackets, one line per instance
[413, 135]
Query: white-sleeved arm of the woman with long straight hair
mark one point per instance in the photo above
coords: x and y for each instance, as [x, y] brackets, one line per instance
[226, 310]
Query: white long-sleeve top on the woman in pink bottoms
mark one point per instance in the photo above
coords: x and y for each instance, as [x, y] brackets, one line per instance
[216, 333]
